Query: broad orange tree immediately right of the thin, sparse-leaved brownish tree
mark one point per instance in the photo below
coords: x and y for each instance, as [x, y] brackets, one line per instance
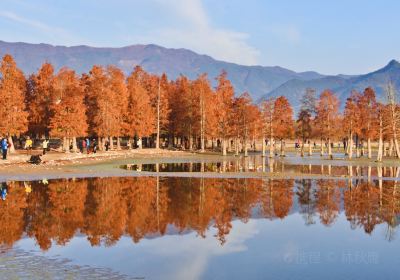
[327, 118]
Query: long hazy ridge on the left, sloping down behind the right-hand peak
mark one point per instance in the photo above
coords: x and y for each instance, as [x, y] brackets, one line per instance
[258, 80]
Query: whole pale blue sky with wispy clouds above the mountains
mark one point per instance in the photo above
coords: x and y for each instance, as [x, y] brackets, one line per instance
[330, 37]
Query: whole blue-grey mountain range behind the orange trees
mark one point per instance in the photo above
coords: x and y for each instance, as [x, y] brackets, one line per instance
[260, 81]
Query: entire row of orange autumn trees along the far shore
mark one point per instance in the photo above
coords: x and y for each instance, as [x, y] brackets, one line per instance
[189, 113]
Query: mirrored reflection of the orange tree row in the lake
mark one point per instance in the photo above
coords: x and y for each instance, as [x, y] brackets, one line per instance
[104, 209]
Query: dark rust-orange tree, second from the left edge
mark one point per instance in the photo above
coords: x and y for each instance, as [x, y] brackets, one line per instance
[40, 95]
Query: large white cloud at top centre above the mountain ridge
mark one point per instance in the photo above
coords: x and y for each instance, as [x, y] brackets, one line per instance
[198, 34]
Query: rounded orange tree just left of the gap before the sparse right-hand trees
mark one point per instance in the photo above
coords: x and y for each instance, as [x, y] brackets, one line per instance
[283, 121]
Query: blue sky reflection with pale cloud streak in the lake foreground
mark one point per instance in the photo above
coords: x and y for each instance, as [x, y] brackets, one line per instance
[258, 249]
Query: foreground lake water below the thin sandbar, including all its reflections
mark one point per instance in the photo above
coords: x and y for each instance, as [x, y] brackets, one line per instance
[197, 228]
